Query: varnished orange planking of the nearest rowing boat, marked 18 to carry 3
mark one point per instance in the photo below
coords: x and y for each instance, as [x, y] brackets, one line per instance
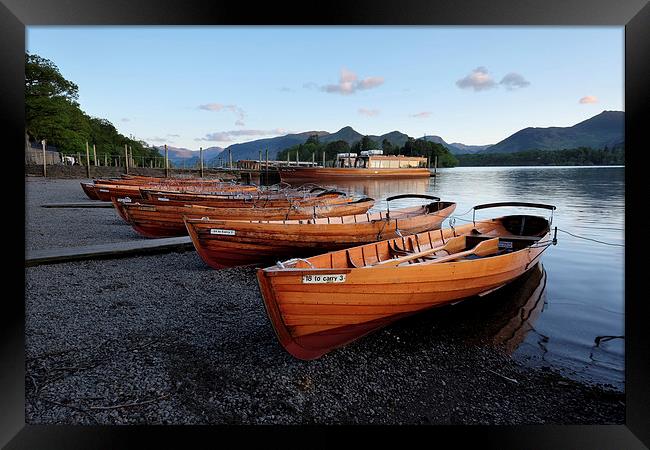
[311, 319]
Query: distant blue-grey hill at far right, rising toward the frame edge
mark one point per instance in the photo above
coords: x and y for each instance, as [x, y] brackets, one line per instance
[604, 129]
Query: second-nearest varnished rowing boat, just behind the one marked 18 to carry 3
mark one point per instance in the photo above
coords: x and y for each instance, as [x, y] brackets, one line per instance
[226, 243]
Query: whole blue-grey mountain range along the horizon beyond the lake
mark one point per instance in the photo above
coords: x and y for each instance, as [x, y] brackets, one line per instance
[604, 129]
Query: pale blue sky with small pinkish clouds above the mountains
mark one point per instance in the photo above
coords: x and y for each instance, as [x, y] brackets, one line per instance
[206, 86]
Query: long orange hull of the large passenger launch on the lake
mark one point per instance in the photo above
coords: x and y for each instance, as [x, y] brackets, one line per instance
[290, 174]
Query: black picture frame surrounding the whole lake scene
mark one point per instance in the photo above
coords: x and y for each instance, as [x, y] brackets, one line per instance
[15, 15]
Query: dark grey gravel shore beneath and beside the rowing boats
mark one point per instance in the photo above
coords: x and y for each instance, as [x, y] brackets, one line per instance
[164, 339]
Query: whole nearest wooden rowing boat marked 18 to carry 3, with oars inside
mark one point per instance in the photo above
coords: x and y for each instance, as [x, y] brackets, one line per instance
[323, 302]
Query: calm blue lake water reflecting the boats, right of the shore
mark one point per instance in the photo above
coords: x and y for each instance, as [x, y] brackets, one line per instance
[569, 315]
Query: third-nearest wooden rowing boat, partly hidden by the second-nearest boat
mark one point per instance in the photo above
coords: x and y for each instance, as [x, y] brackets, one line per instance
[161, 220]
